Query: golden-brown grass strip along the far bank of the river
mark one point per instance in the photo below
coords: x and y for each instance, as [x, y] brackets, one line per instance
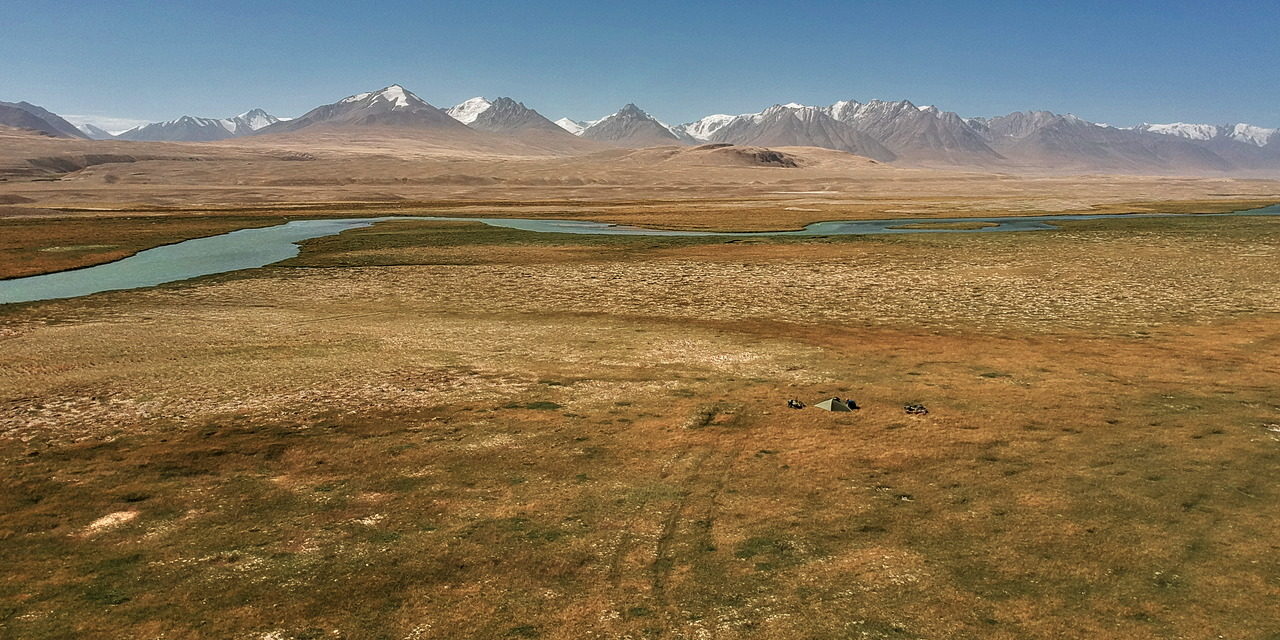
[42, 241]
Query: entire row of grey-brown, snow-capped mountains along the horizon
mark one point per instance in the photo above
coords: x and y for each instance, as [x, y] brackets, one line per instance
[886, 131]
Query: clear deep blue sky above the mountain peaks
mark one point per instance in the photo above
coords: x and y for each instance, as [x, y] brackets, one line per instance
[1117, 62]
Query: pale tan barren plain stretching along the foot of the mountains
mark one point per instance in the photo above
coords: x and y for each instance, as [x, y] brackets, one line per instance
[670, 186]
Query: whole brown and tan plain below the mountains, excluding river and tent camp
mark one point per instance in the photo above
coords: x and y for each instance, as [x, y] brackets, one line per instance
[426, 431]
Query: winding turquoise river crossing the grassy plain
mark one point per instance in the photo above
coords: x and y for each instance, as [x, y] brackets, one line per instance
[252, 249]
